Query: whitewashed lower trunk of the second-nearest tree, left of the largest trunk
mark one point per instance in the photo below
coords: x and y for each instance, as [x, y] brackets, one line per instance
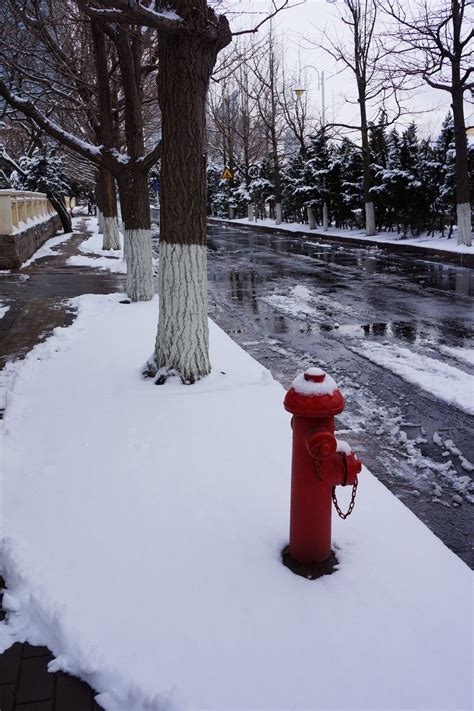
[138, 253]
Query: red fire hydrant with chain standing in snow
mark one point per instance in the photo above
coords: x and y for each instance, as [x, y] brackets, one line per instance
[320, 462]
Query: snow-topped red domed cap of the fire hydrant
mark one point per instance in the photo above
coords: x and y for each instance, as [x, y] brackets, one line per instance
[314, 394]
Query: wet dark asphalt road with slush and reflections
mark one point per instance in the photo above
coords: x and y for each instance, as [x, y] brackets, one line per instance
[293, 302]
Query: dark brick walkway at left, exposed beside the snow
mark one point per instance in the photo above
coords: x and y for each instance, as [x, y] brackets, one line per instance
[38, 300]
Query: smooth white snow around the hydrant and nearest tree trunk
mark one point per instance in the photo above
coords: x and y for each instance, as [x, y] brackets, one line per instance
[142, 534]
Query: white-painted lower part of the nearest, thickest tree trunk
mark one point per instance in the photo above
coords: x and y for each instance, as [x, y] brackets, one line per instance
[182, 340]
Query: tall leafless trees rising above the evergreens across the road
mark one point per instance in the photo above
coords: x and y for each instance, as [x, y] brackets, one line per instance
[390, 49]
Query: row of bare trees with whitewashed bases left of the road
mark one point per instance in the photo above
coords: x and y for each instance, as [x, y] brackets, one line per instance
[91, 75]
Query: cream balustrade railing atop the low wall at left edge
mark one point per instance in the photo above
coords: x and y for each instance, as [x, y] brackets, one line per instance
[20, 209]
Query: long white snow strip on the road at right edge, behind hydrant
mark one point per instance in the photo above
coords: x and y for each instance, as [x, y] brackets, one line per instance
[441, 380]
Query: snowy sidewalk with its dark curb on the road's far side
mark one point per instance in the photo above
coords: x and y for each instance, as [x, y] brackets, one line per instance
[423, 246]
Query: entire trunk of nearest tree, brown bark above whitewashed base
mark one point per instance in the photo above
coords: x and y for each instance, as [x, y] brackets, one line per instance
[182, 341]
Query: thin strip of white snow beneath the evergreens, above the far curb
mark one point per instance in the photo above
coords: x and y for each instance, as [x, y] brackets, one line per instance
[436, 243]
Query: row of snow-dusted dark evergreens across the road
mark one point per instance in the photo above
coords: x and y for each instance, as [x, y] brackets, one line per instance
[413, 182]
